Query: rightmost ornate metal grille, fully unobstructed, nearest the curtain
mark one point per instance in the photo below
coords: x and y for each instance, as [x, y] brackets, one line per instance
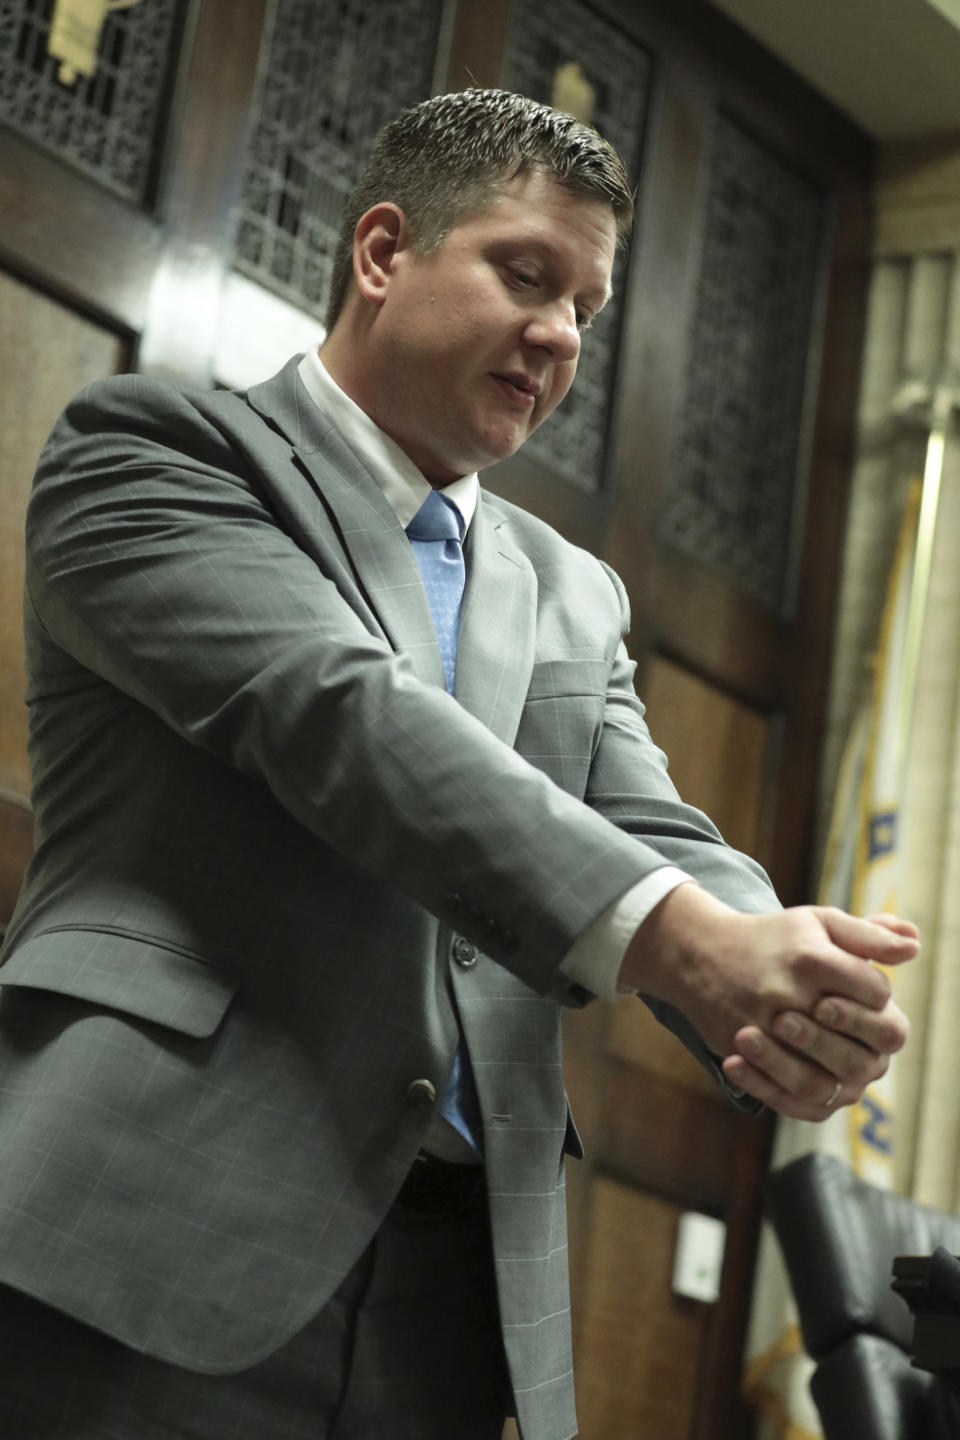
[730, 493]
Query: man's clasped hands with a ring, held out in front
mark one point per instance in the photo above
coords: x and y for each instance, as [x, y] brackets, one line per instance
[794, 1000]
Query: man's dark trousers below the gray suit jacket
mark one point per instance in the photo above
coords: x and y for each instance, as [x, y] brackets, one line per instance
[409, 1349]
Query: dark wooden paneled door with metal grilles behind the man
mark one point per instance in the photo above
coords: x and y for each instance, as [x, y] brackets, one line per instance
[175, 215]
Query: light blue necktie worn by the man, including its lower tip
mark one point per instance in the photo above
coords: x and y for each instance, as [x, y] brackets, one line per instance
[435, 538]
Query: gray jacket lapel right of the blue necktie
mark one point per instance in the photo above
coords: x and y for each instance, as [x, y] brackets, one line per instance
[499, 626]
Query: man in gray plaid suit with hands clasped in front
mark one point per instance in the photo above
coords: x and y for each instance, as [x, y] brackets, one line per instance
[281, 1107]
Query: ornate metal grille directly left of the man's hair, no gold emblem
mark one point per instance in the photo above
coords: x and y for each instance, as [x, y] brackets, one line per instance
[333, 76]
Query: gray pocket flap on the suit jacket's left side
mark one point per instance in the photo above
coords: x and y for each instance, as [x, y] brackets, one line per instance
[133, 974]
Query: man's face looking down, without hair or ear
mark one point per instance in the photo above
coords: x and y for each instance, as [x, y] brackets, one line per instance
[481, 338]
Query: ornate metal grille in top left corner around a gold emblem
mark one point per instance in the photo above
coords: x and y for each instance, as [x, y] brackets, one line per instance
[106, 125]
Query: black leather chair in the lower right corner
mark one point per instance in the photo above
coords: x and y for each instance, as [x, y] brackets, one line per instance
[840, 1238]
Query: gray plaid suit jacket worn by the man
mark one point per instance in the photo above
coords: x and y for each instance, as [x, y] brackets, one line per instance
[261, 827]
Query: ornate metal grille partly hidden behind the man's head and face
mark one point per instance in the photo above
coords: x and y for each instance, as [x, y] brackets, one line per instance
[612, 73]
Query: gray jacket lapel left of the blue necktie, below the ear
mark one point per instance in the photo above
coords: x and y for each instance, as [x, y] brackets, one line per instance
[369, 529]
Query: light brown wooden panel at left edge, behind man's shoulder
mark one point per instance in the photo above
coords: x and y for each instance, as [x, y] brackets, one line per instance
[48, 354]
